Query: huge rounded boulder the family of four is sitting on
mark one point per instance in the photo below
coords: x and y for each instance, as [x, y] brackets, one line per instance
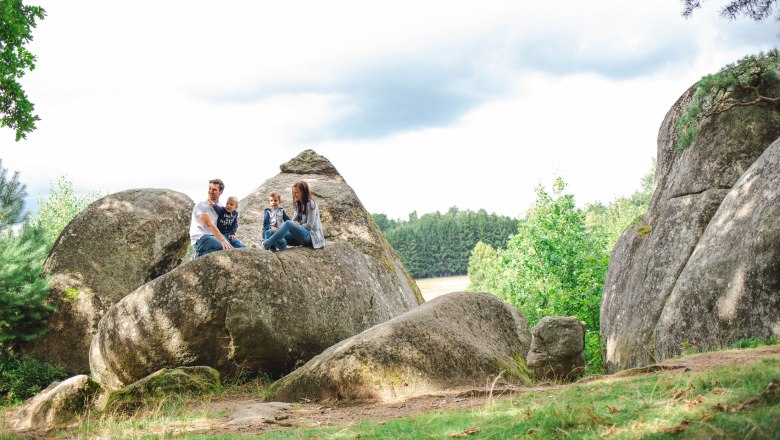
[249, 309]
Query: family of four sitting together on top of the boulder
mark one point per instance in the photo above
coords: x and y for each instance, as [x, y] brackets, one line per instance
[213, 227]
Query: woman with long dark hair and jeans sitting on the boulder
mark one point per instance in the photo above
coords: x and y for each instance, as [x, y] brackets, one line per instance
[305, 228]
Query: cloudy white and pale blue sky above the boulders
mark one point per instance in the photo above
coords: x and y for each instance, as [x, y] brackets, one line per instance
[421, 105]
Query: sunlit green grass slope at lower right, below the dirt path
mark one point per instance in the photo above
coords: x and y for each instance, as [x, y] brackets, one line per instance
[721, 403]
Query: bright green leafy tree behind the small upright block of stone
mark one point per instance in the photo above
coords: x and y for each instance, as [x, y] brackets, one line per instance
[553, 266]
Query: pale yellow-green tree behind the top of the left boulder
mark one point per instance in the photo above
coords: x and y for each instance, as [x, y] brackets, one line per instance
[57, 209]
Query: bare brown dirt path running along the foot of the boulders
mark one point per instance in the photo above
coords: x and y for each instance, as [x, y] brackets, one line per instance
[246, 415]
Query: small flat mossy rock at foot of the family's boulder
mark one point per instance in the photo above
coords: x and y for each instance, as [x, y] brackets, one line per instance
[159, 385]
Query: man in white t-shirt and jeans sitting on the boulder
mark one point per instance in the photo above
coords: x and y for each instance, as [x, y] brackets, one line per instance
[204, 235]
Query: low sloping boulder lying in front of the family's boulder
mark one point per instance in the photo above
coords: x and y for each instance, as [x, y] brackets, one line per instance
[459, 339]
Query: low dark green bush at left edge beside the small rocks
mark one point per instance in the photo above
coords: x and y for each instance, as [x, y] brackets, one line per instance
[22, 377]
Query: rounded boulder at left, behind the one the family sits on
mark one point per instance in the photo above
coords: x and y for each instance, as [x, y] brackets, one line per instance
[115, 245]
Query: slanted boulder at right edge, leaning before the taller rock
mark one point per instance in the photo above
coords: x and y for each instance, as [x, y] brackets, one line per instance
[730, 287]
